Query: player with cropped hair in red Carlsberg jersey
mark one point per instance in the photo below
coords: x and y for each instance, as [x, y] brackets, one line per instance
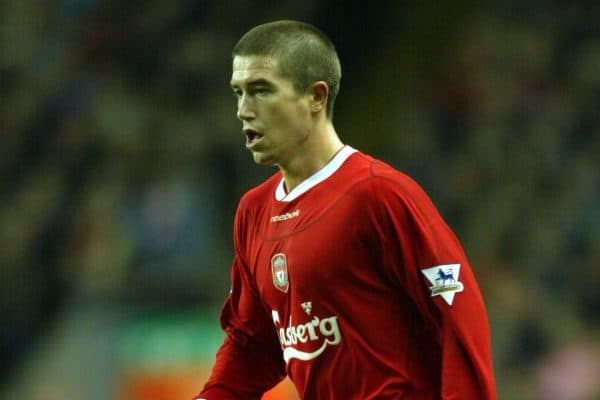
[345, 276]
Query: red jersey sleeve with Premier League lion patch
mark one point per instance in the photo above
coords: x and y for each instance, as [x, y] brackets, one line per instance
[428, 261]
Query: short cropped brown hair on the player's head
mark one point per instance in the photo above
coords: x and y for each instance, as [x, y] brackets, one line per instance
[303, 52]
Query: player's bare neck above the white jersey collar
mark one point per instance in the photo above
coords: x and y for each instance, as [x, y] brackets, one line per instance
[318, 150]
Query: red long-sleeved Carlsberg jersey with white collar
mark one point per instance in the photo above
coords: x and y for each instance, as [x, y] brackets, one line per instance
[354, 286]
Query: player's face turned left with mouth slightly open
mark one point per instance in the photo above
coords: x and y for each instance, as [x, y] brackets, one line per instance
[275, 117]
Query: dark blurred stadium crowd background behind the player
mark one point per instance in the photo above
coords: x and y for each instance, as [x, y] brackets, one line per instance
[121, 164]
